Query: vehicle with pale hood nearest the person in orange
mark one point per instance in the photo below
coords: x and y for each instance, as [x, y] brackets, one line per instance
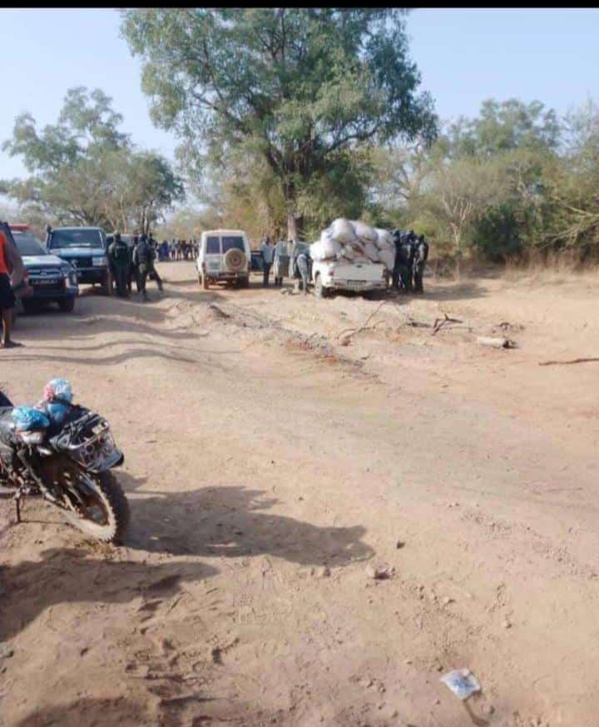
[51, 279]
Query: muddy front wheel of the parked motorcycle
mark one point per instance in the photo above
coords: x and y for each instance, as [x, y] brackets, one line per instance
[103, 510]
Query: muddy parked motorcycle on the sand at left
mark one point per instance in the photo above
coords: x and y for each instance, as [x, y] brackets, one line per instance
[69, 465]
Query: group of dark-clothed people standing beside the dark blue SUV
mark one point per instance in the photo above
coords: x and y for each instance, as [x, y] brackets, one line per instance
[136, 262]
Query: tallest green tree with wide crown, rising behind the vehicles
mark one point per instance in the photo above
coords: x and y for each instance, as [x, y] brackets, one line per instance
[298, 88]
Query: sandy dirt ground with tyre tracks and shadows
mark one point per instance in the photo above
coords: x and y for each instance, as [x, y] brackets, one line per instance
[274, 454]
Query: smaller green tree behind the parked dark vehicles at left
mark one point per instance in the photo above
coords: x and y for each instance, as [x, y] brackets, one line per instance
[85, 171]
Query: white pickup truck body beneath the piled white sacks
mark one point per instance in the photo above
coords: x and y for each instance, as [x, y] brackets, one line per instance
[362, 277]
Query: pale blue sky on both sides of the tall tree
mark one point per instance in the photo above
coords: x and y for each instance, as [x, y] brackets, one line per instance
[465, 56]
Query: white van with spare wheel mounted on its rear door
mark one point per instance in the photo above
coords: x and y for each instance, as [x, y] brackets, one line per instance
[224, 255]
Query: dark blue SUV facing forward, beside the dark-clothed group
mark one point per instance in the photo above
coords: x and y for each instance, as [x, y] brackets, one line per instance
[85, 249]
